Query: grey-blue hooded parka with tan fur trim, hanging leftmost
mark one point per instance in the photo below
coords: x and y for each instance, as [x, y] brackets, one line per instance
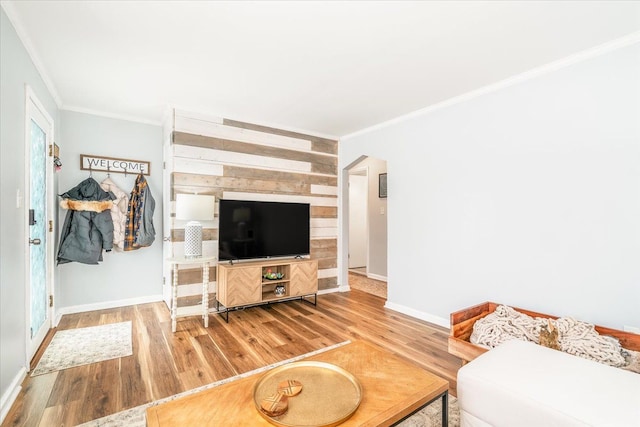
[88, 228]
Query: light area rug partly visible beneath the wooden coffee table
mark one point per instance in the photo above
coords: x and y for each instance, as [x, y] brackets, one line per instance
[136, 417]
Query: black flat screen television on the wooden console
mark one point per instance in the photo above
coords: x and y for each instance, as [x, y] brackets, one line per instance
[251, 229]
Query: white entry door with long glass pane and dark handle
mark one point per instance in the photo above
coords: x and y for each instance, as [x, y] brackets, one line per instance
[39, 221]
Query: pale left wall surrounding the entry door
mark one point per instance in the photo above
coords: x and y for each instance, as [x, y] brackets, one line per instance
[16, 70]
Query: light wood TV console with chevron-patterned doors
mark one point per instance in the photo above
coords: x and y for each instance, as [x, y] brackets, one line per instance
[243, 284]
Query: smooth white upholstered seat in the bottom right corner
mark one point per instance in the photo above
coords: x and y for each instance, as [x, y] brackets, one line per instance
[519, 384]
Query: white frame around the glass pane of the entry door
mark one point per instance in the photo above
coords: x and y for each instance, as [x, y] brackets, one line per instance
[33, 107]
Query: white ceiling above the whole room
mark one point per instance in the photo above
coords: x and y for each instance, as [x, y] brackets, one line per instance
[330, 68]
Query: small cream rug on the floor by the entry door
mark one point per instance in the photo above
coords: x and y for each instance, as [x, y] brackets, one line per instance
[82, 346]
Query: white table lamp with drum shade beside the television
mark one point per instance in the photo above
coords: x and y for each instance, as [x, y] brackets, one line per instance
[194, 208]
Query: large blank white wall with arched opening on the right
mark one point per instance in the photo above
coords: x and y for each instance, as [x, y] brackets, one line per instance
[528, 195]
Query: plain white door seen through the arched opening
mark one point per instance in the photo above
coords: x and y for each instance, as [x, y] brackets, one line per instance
[358, 219]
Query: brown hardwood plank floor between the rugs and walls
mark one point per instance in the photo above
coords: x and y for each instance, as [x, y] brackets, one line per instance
[164, 364]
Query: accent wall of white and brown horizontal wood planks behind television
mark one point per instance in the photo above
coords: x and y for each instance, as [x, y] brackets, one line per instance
[244, 161]
